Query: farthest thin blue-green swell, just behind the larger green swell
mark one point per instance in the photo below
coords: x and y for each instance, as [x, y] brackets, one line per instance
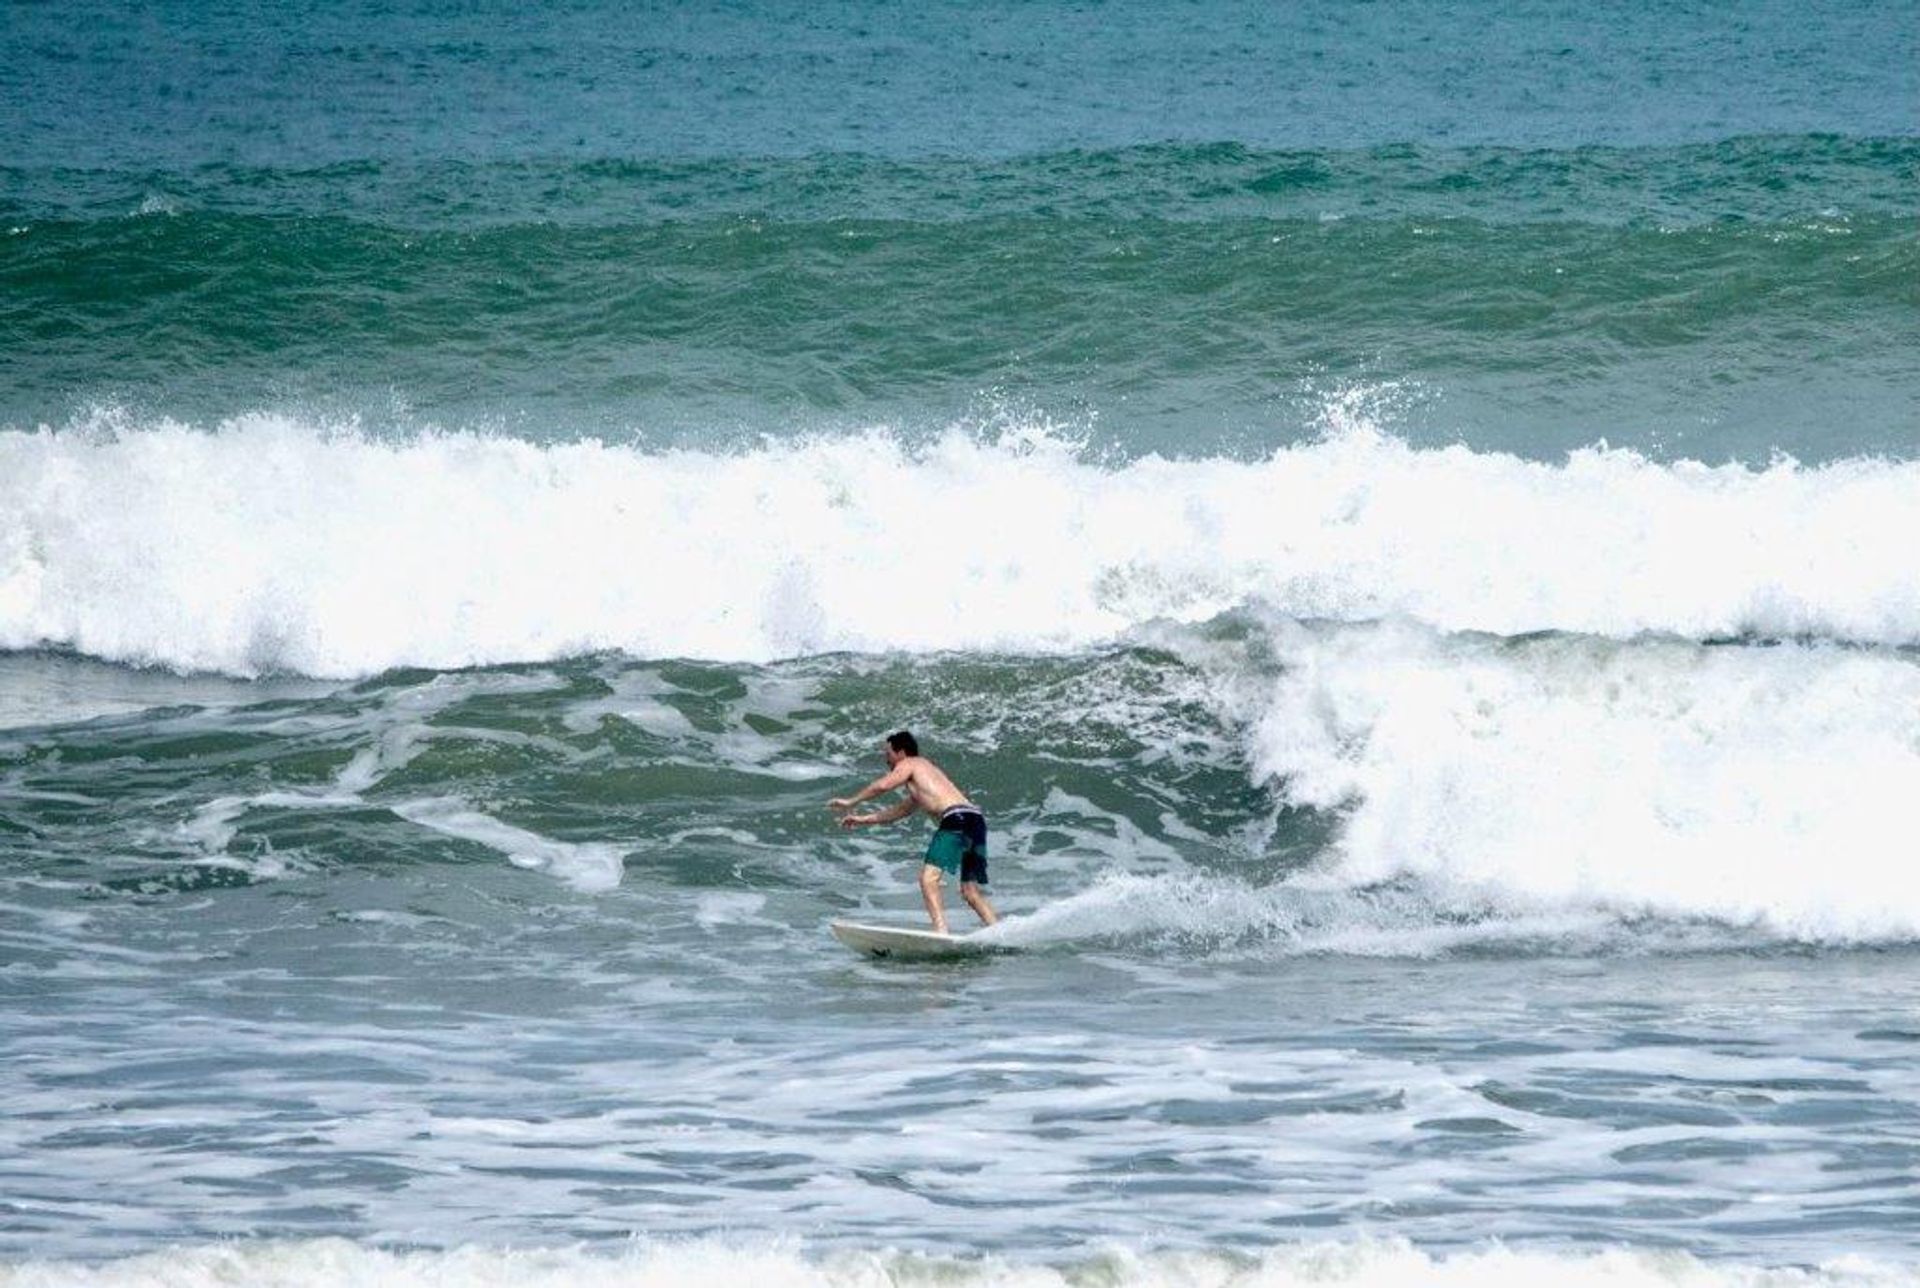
[1764, 178]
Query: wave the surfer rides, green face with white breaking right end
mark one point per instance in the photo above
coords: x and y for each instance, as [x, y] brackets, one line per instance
[1243, 790]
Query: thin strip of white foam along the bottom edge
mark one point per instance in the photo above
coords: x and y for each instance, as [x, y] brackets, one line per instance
[775, 1264]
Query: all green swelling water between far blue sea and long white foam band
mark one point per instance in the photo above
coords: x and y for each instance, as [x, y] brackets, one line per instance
[1191, 300]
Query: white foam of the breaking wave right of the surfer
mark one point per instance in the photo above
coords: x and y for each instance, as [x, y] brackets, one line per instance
[1554, 776]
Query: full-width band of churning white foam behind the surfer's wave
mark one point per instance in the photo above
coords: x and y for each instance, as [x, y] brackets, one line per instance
[276, 546]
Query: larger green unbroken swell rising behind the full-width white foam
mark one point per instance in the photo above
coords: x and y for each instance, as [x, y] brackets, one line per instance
[208, 287]
